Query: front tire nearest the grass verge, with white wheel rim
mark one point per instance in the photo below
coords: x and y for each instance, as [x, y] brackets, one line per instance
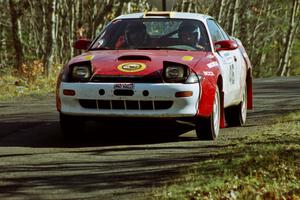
[208, 128]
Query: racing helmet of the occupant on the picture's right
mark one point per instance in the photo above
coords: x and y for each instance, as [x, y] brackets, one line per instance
[189, 33]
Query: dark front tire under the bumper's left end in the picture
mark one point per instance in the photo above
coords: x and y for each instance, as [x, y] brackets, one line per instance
[71, 126]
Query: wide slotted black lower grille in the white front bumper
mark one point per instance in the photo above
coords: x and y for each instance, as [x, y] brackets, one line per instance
[125, 104]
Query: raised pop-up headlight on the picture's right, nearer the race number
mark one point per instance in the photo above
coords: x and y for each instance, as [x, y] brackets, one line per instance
[175, 73]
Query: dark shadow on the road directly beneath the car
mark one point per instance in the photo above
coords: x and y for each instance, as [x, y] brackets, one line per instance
[47, 134]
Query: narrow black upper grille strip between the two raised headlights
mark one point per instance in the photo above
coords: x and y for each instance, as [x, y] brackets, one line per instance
[127, 79]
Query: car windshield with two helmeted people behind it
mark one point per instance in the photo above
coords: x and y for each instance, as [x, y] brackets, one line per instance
[172, 34]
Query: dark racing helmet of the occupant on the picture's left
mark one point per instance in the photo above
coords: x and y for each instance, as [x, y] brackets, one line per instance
[135, 33]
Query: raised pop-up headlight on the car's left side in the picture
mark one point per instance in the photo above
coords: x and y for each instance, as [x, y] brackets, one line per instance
[81, 73]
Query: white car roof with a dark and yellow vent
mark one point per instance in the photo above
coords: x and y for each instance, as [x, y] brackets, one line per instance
[165, 14]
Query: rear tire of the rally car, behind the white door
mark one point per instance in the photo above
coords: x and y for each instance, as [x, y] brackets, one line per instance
[236, 115]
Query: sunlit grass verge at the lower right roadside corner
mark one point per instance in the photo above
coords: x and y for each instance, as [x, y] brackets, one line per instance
[265, 165]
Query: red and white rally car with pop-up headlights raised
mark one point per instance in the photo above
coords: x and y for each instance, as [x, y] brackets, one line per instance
[158, 65]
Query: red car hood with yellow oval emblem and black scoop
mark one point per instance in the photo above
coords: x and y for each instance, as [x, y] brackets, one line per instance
[119, 62]
